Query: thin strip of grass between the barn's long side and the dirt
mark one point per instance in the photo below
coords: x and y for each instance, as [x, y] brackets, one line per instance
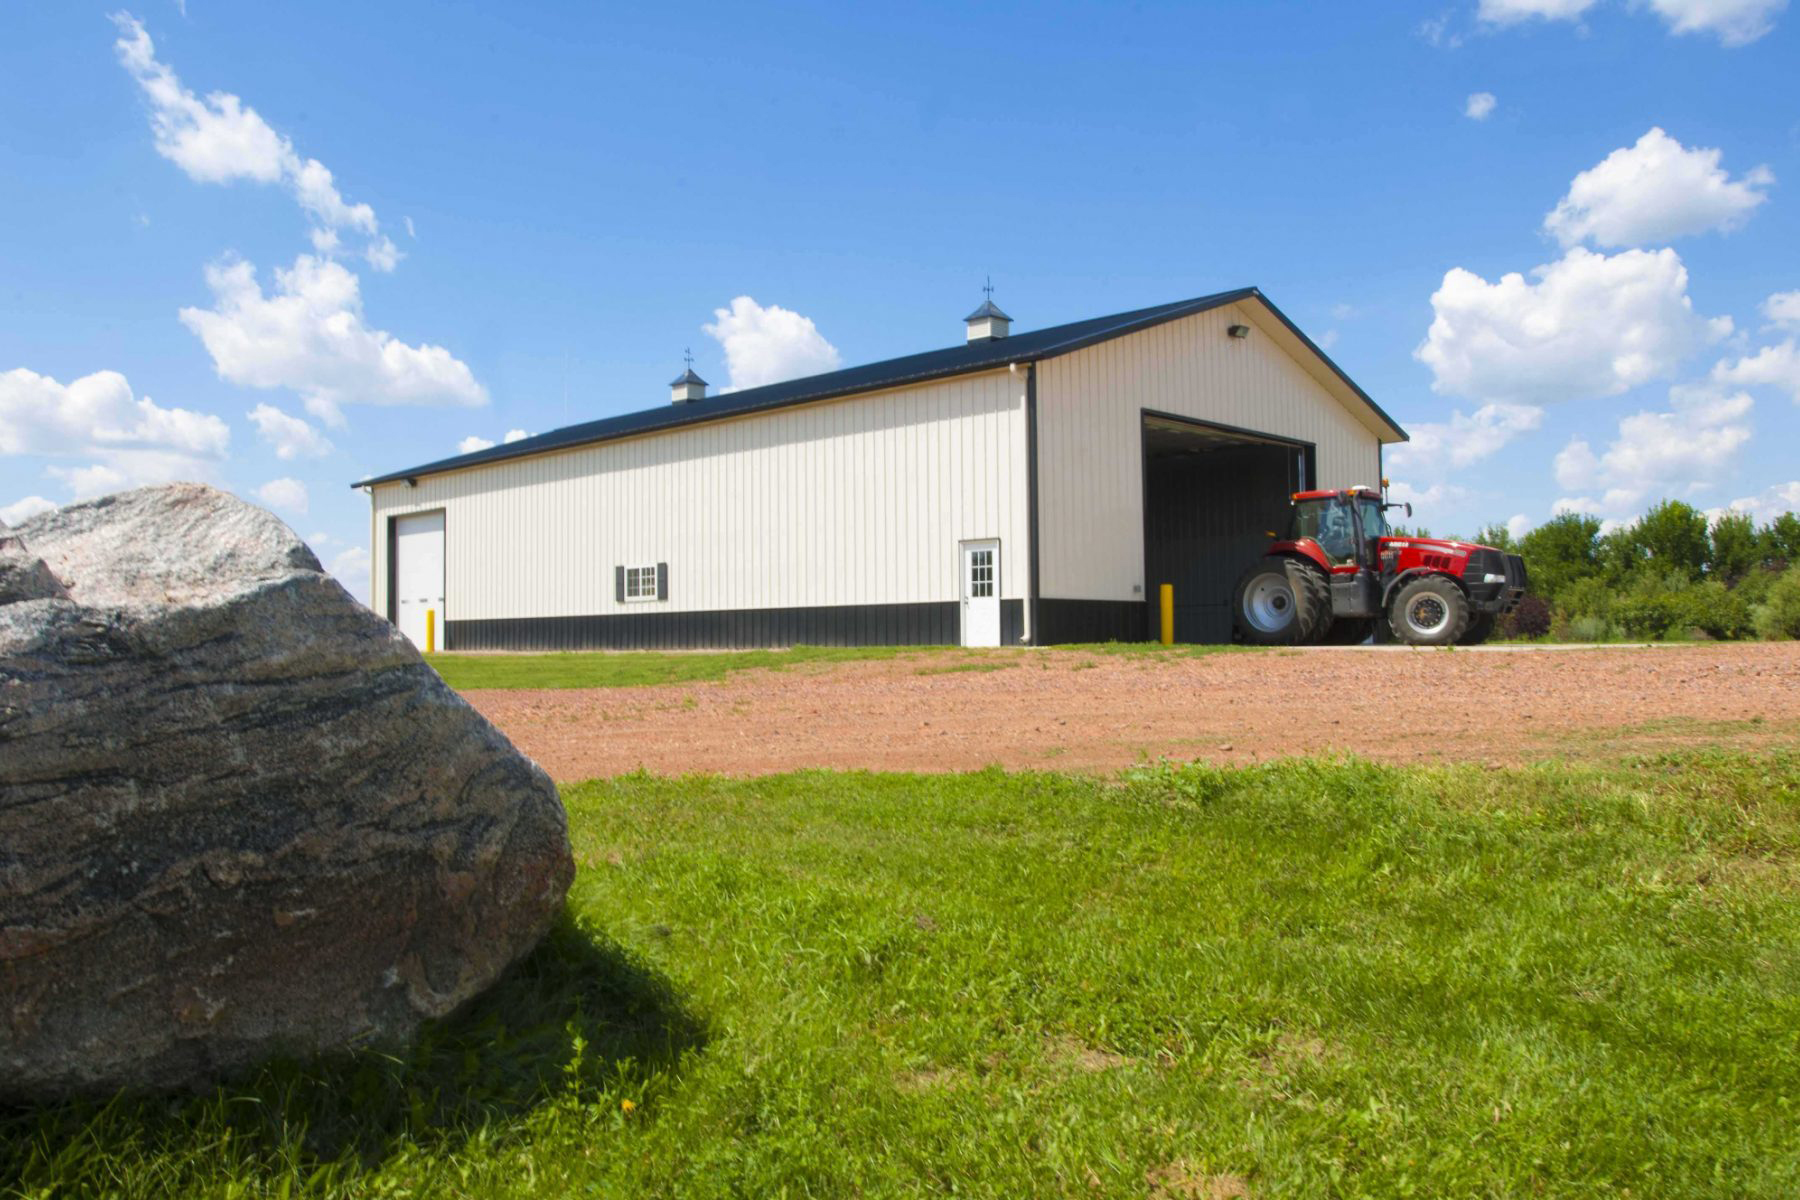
[647, 668]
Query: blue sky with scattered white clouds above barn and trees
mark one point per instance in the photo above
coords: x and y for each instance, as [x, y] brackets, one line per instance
[280, 247]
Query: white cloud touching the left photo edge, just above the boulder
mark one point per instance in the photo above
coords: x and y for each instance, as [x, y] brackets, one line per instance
[132, 440]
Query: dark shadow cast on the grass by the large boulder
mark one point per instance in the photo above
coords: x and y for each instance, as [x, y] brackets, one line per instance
[575, 1021]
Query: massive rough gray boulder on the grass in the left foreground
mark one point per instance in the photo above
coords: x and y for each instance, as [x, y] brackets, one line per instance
[238, 814]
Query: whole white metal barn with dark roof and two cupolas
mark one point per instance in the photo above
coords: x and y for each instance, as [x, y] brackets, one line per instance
[1014, 490]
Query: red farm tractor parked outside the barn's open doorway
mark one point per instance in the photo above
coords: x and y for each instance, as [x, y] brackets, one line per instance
[1340, 577]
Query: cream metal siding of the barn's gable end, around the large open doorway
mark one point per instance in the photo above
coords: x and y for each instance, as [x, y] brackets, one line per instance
[1090, 470]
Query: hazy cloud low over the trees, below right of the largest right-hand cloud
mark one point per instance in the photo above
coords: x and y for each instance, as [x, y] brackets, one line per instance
[1678, 452]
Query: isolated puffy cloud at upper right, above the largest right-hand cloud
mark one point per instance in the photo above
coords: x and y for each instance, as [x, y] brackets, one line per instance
[1653, 192]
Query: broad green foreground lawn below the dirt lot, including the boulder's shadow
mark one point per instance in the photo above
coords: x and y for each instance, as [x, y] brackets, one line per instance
[1306, 980]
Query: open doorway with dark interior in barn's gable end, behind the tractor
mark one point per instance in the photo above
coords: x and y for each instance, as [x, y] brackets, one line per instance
[1210, 499]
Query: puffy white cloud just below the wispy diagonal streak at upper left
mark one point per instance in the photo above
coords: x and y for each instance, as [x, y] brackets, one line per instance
[309, 336]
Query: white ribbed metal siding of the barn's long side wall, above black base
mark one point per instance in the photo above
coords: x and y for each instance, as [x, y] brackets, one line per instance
[859, 501]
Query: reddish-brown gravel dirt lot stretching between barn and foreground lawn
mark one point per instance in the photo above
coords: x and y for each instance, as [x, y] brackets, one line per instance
[1102, 712]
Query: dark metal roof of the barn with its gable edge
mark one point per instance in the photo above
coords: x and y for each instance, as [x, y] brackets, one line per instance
[966, 359]
